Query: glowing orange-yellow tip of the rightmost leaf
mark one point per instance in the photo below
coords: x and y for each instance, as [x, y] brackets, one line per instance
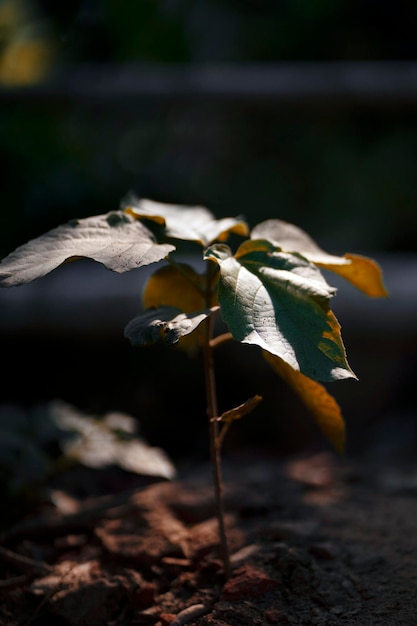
[364, 273]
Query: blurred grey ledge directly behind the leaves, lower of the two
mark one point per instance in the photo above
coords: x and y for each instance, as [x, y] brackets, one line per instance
[84, 297]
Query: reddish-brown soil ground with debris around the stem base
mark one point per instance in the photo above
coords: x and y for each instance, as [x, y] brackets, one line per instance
[314, 540]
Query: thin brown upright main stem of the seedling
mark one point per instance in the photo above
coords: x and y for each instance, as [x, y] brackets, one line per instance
[215, 444]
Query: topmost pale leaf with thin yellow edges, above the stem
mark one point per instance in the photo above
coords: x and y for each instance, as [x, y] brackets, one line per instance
[195, 223]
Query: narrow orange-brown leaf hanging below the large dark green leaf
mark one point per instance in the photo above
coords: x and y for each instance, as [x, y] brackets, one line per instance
[315, 397]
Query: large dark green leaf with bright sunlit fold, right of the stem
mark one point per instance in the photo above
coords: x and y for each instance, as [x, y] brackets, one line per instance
[280, 302]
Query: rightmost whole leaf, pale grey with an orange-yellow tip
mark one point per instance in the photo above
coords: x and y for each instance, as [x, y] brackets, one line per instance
[364, 273]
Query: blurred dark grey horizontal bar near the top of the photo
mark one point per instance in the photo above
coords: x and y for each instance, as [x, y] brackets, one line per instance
[356, 83]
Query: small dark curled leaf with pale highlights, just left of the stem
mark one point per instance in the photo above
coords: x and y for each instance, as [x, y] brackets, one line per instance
[166, 324]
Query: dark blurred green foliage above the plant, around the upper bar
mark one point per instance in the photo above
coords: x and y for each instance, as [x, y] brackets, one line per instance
[349, 172]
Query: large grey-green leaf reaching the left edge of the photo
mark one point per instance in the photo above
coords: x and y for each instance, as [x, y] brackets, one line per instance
[115, 239]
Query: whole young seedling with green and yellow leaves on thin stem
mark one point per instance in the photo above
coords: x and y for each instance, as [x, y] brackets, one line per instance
[269, 292]
